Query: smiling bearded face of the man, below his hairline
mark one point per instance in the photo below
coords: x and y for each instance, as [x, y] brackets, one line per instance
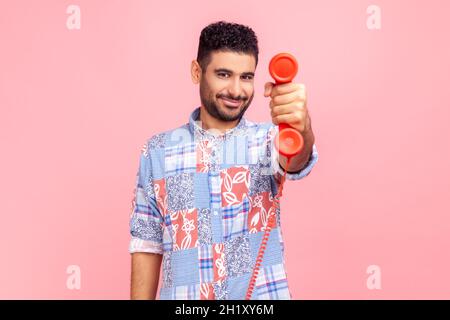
[227, 86]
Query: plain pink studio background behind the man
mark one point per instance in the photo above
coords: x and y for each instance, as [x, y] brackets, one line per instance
[77, 105]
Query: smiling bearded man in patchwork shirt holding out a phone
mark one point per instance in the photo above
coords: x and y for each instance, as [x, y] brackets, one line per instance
[204, 191]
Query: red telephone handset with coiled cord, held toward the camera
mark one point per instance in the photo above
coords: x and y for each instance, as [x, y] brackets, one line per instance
[283, 67]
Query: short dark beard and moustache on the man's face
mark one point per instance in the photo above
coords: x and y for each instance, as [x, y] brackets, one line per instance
[222, 113]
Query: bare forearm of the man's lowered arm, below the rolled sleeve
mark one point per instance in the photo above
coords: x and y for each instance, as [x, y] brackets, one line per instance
[145, 268]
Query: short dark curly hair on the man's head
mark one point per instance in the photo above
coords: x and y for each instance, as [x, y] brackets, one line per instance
[226, 36]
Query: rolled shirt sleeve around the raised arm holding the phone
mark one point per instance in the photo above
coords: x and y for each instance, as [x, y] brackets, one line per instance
[278, 171]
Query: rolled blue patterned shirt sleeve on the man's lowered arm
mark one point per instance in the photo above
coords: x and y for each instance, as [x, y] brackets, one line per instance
[146, 222]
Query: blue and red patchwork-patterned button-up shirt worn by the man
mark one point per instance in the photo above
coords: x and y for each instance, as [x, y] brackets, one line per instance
[202, 200]
